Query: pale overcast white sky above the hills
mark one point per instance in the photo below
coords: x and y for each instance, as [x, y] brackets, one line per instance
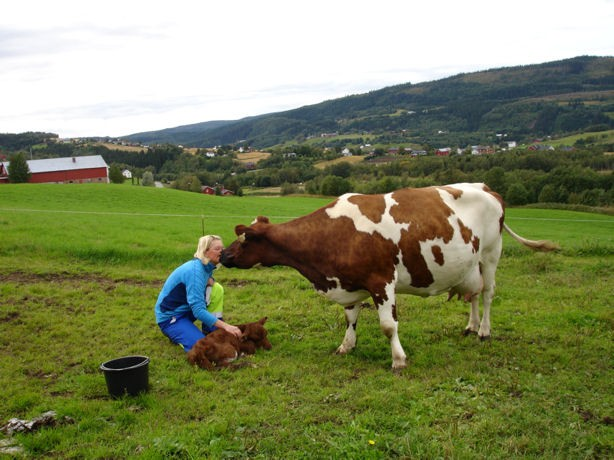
[114, 68]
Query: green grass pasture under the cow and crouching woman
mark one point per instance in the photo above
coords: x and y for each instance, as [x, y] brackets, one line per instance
[81, 267]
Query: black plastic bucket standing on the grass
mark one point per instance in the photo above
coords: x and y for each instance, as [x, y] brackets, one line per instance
[129, 374]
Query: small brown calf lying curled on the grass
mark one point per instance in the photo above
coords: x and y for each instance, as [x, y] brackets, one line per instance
[220, 348]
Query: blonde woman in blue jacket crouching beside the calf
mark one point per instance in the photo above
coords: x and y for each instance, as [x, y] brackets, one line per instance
[191, 293]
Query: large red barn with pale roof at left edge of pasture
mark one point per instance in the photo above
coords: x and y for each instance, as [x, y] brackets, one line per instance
[69, 170]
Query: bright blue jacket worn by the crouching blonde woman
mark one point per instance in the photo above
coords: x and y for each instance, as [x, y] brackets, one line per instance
[184, 291]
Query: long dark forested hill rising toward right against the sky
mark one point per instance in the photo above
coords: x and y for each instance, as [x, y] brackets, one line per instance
[523, 102]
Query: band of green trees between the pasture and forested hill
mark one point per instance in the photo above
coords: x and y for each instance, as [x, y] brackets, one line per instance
[583, 175]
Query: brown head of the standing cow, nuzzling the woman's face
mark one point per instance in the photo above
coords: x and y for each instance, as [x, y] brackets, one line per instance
[250, 246]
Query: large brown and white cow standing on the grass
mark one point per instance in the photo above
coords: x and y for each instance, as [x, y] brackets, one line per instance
[421, 241]
